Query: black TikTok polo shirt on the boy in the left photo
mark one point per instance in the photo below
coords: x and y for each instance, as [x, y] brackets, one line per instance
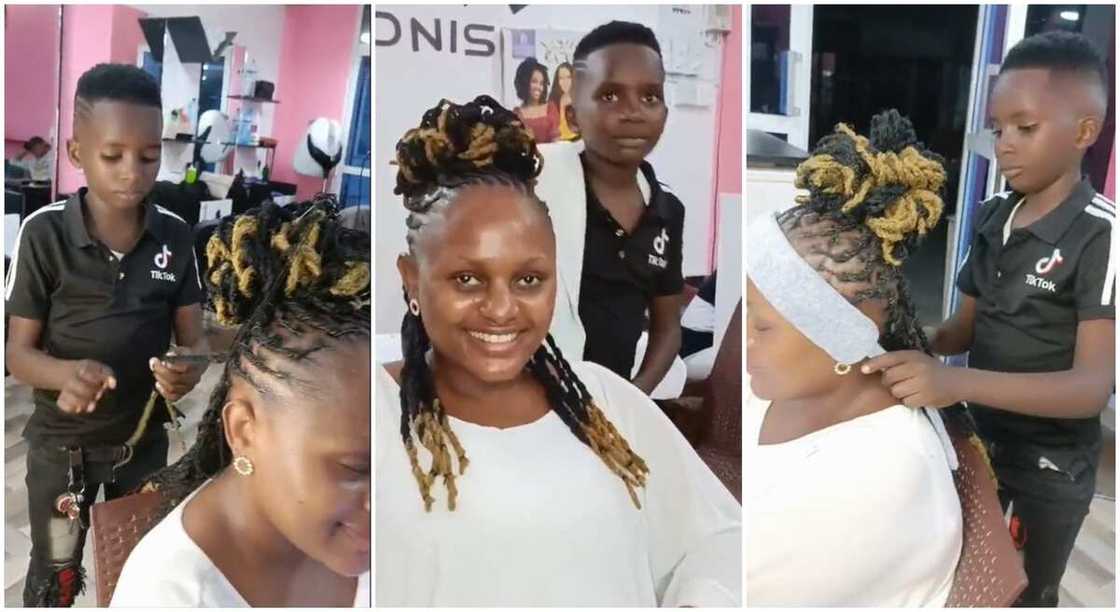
[95, 305]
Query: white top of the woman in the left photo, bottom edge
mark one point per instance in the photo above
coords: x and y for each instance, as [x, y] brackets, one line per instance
[169, 570]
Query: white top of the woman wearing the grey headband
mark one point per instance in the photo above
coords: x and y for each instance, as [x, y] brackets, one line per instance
[861, 514]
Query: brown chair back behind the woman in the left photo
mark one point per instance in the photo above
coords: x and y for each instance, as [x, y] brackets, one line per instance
[118, 527]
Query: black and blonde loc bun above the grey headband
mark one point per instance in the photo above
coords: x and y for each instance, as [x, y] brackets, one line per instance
[891, 182]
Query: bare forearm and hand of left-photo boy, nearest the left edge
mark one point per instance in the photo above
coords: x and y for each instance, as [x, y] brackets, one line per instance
[80, 383]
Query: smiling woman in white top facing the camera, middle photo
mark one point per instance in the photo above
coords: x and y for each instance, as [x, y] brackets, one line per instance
[508, 477]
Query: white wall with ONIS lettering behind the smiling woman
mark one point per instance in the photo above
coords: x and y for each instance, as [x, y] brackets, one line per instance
[407, 84]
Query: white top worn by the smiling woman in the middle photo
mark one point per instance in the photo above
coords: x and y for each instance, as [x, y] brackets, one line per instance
[543, 522]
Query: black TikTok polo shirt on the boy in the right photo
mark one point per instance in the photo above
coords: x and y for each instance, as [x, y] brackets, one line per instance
[1031, 295]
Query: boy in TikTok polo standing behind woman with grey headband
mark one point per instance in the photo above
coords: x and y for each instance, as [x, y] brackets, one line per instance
[1038, 311]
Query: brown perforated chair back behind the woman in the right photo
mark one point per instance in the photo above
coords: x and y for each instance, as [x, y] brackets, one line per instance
[991, 572]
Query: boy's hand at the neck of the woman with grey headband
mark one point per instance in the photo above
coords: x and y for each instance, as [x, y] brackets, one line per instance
[916, 379]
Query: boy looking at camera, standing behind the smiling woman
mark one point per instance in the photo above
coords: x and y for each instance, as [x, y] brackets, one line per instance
[631, 261]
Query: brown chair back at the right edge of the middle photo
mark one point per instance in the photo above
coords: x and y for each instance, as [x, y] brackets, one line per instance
[721, 444]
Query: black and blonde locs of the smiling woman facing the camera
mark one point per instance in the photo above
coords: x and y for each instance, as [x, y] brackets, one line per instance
[458, 147]
